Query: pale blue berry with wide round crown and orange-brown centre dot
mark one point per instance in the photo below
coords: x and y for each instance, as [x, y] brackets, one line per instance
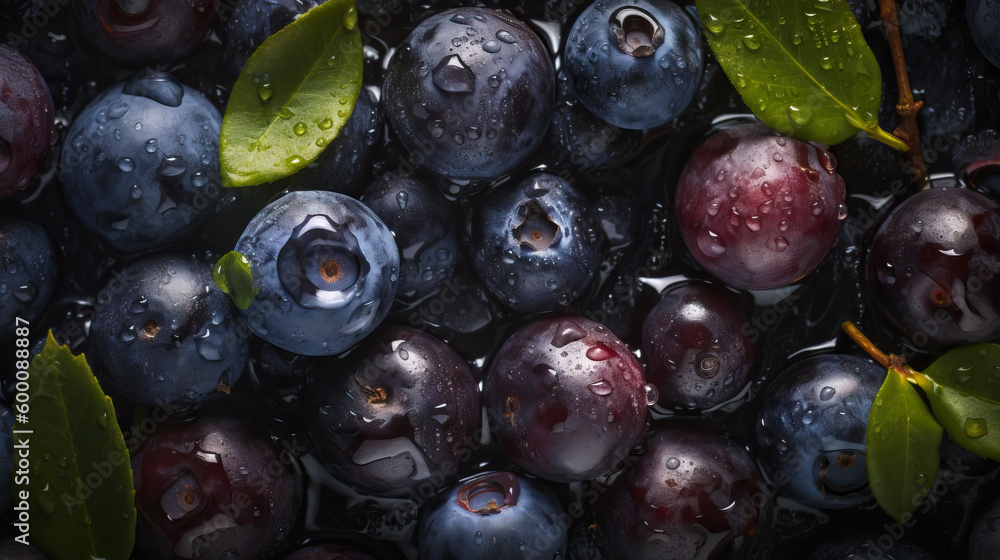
[325, 269]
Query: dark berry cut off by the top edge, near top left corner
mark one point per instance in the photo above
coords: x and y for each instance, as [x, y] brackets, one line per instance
[138, 32]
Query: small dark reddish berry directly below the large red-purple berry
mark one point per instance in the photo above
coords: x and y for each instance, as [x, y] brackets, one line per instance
[699, 346]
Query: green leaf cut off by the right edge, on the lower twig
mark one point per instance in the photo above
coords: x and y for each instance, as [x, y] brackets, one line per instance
[963, 387]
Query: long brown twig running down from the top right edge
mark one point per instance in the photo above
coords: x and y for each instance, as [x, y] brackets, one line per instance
[907, 107]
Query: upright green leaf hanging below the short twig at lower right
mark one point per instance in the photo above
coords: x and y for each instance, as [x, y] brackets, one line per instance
[902, 448]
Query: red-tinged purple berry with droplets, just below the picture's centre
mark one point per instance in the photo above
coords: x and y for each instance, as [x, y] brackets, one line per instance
[568, 398]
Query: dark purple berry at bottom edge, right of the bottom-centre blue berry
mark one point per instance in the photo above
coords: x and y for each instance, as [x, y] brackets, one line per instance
[688, 496]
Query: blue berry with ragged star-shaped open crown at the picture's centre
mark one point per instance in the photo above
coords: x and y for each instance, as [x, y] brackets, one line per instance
[526, 273]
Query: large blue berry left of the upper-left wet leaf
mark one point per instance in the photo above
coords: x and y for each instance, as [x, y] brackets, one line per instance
[140, 167]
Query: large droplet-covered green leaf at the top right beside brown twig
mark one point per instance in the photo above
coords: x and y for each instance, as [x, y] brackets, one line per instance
[803, 68]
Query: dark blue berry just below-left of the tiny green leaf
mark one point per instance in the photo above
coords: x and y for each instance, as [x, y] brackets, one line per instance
[163, 332]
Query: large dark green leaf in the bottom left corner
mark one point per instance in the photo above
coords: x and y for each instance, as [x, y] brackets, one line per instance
[81, 496]
